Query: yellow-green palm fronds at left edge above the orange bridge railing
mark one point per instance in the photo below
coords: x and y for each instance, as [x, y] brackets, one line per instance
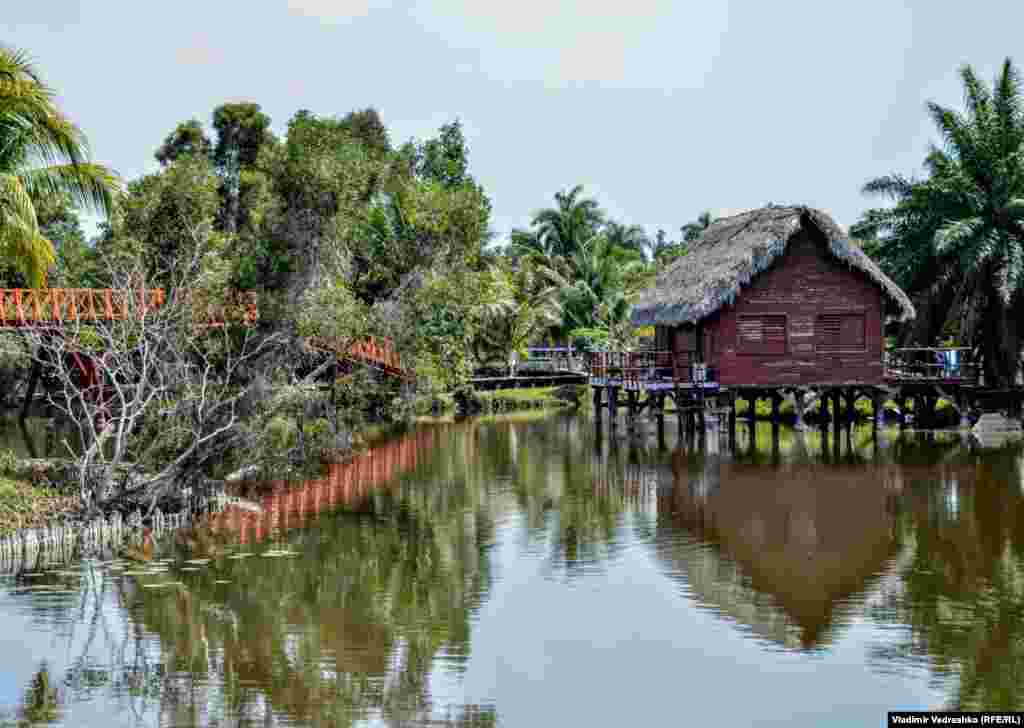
[42, 155]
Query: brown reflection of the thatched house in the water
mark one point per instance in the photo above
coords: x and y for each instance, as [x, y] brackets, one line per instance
[788, 551]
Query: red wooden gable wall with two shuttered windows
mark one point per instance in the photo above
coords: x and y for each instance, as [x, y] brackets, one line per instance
[800, 323]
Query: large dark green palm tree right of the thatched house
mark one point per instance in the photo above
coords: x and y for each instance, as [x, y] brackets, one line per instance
[959, 235]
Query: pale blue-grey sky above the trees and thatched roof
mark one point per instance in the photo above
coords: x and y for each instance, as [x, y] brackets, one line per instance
[661, 109]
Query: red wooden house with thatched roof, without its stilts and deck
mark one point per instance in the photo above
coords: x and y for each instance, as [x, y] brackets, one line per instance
[775, 297]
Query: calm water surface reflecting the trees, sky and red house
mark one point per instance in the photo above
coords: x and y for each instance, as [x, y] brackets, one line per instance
[522, 574]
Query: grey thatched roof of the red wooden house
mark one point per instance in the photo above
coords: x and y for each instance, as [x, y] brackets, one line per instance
[733, 251]
